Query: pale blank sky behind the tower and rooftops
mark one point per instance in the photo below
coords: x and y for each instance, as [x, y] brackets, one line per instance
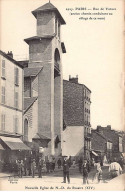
[94, 48]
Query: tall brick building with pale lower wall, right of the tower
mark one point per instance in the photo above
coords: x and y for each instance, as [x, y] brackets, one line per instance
[76, 114]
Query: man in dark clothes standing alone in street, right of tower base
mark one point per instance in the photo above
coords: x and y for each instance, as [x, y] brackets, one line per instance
[66, 166]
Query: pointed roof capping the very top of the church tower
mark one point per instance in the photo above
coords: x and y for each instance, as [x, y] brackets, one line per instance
[48, 7]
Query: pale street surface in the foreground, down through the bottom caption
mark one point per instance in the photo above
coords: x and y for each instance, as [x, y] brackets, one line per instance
[54, 180]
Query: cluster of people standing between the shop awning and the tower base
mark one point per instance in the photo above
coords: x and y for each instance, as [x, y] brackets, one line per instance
[28, 166]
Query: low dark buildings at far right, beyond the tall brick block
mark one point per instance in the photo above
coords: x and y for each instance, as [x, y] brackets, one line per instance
[113, 140]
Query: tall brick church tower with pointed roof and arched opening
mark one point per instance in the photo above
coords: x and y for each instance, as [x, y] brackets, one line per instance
[45, 50]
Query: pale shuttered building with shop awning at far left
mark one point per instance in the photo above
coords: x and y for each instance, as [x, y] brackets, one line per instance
[11, 107]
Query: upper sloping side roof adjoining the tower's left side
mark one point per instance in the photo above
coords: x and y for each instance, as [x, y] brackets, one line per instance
[32, 72]
